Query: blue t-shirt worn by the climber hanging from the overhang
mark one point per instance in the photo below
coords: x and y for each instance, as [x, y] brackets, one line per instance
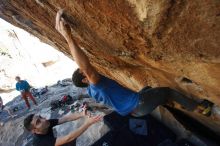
[109, 92]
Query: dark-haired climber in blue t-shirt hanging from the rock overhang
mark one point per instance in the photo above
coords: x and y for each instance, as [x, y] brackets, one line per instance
[109, 92]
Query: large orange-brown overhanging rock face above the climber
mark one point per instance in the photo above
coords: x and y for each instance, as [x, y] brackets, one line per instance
[136, 42]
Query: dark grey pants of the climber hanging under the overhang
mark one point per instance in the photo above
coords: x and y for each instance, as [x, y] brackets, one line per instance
[150, 98]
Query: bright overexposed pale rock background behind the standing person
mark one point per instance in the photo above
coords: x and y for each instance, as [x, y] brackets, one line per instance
[32, 60]
